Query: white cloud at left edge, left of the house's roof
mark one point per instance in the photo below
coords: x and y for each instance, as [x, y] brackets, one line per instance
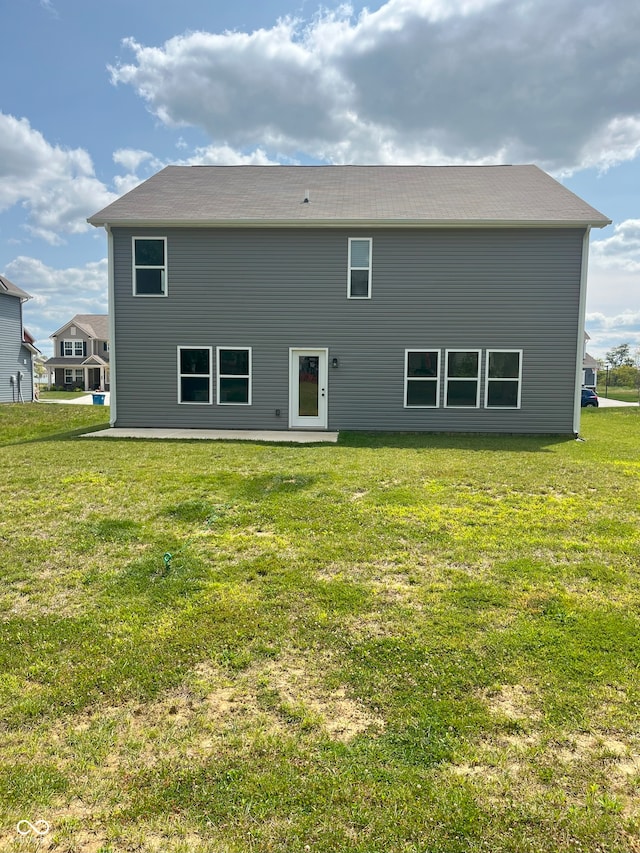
[57, 186]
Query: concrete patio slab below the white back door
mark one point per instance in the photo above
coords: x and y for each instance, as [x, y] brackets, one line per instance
[297, 437]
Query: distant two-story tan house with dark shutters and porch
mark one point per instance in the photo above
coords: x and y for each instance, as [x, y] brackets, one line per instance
[81, 353]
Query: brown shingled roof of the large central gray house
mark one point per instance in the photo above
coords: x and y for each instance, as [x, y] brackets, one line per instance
[335, 195]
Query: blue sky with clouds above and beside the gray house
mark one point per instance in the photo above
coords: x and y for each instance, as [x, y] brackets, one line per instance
[95, 97]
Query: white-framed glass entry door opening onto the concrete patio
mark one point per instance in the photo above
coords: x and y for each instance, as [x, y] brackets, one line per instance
[308, 388]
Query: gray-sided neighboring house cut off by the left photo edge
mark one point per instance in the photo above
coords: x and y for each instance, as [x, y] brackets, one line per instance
[17, 349]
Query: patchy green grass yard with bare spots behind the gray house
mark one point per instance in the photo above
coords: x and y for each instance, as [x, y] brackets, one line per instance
[396, 644]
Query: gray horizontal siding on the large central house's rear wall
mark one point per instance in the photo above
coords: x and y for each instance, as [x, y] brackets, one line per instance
[275, 289]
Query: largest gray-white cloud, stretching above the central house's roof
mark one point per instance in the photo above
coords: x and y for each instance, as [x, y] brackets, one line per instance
[415, 81]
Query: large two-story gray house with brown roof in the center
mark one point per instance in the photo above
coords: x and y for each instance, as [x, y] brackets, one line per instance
[348, 298]
